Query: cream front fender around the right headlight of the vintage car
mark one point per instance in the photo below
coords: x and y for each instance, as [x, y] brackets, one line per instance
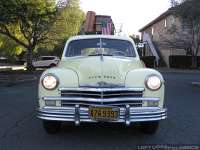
[137, 78]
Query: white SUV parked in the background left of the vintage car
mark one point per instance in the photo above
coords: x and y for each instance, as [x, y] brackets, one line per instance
[45, 62]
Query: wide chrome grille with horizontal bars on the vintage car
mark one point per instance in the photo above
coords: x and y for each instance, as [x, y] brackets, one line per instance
[101, 96]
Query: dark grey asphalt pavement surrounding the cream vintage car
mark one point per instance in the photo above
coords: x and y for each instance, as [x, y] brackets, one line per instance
[21, 130]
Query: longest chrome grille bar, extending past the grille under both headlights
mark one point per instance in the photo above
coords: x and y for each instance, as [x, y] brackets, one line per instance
[154, 99]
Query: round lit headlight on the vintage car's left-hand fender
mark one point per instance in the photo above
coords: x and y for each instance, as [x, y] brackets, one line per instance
[50, 82]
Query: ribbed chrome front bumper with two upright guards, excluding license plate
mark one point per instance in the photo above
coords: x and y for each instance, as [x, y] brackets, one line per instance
[80, 114]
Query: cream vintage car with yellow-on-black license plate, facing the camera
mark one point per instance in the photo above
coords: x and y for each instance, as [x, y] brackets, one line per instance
[101, 78]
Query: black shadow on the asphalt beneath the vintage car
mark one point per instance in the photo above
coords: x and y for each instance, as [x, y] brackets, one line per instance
[102, 130]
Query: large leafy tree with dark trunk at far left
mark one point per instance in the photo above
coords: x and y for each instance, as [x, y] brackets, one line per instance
[27, 22]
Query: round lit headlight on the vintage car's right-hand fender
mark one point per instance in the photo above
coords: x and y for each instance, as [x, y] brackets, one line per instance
[153, 82]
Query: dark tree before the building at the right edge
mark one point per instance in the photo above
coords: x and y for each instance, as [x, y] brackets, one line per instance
[189, 13]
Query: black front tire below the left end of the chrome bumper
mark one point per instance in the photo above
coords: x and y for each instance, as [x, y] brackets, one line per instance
[51, 127]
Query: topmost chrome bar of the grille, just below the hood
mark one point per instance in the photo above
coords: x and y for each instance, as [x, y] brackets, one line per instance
[102, 89]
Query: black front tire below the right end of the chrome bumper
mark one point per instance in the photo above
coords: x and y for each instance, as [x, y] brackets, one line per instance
[149, 127]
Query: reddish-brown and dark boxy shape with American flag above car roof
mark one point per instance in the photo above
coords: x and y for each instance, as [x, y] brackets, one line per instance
[98, 24]
